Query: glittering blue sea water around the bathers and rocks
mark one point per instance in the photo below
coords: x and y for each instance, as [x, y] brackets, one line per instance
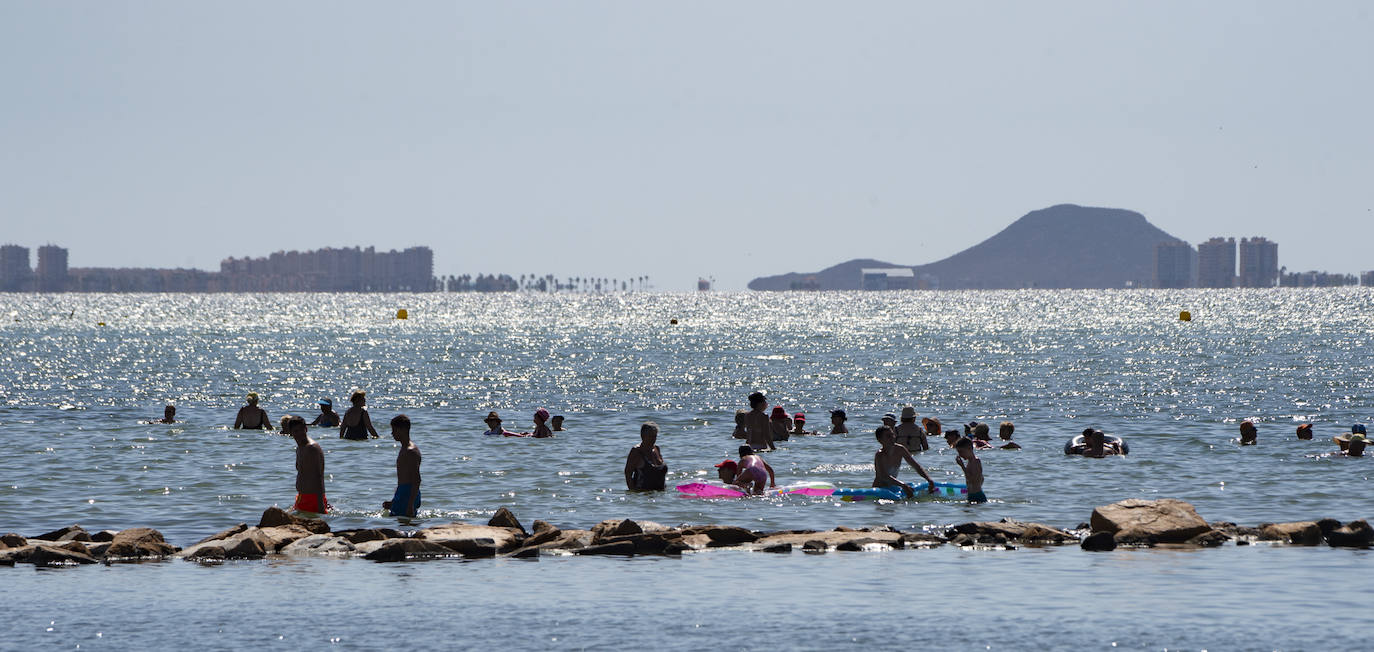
[74, 395]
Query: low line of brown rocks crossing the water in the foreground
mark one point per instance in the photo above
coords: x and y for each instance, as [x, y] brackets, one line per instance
[278, 533]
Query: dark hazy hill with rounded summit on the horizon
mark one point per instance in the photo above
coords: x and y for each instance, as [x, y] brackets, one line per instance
[1064, 246]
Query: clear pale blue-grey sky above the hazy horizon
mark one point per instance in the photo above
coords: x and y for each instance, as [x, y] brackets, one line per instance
[677, 141]
